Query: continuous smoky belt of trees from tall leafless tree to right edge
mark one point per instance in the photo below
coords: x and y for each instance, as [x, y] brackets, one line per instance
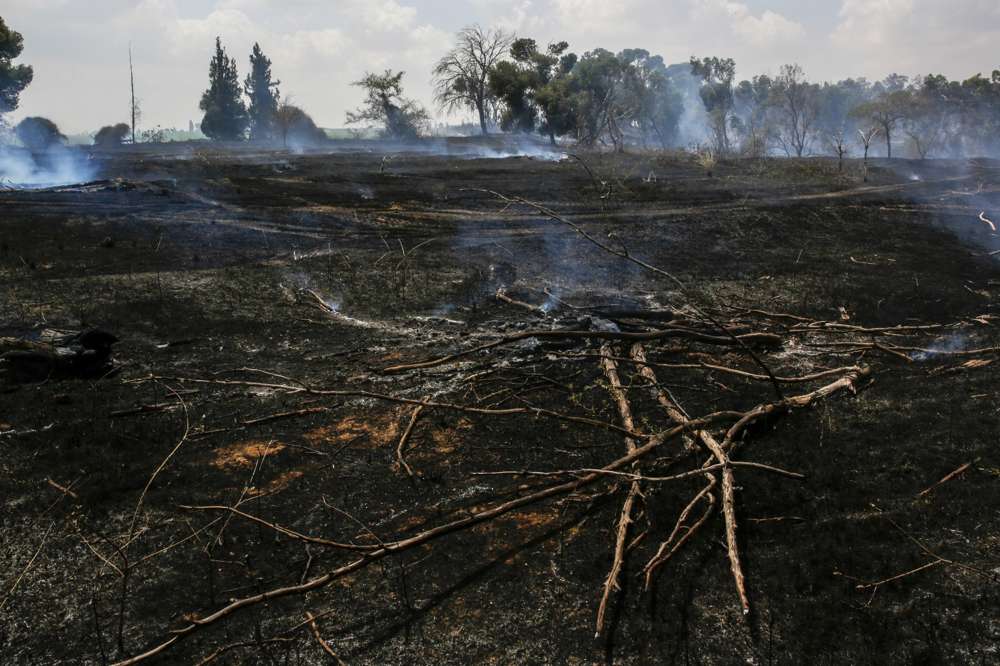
[634, 98]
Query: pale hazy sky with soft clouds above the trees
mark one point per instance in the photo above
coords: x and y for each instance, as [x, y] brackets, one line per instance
[79, 48]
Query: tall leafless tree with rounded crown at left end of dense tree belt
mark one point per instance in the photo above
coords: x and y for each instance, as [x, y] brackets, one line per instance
[461, 77]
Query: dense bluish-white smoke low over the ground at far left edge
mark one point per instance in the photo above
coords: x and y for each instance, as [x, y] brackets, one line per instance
[20, 169]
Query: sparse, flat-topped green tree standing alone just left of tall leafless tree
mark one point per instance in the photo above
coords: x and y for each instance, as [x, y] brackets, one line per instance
[384, 105]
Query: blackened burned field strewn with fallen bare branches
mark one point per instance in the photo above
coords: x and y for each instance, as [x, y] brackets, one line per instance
[432, 409]
